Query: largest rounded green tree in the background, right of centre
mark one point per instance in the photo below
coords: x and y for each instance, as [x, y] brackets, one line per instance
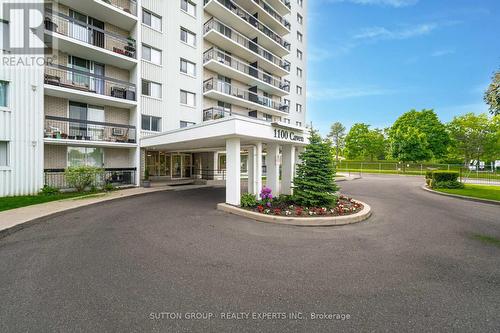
[428, 125]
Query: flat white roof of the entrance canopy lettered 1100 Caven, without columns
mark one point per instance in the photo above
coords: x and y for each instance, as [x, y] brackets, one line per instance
[212, 135]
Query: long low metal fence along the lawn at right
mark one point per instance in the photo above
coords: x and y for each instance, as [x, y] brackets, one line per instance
[487, 174]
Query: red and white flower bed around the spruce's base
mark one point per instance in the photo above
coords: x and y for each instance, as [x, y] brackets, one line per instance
[285, 206]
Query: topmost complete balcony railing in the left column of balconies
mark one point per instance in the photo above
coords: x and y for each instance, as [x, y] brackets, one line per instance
[85, 33]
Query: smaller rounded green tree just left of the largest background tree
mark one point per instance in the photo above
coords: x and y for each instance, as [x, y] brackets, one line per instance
[363, 143]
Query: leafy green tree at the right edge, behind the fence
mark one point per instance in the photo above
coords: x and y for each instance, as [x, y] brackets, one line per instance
[475, 136]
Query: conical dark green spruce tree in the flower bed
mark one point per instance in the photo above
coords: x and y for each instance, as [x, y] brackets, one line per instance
[314, 185]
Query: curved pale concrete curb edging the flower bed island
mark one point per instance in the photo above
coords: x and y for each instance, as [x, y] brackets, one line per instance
[300, 221]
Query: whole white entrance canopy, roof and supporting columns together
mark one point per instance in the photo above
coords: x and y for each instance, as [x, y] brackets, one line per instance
[232, 134]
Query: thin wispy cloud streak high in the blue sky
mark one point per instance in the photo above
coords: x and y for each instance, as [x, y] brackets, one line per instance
[381, 33]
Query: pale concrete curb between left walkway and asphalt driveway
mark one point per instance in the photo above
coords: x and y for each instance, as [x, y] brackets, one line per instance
[25, 224]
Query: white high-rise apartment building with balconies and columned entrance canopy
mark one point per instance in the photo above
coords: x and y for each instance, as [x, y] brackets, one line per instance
[187, 89]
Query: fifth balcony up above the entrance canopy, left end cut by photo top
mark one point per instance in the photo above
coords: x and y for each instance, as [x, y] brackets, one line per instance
[235, 16]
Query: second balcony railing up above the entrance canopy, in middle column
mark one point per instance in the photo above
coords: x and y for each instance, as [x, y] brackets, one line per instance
[228, 89]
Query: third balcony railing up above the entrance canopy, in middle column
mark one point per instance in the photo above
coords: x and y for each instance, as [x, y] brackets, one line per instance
[228, 60]
